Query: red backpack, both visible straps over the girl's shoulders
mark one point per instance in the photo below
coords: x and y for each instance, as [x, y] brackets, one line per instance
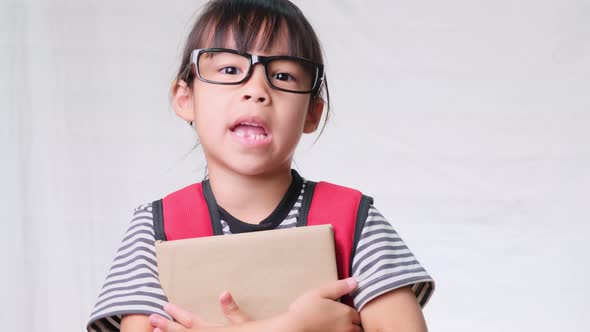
[192, 212]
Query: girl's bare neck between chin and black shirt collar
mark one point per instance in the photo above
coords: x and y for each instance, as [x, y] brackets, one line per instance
[249, 198]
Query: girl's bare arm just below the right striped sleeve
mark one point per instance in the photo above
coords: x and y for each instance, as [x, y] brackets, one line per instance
[397, 311]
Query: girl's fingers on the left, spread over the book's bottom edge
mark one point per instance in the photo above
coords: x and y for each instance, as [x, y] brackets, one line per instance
[185, 320]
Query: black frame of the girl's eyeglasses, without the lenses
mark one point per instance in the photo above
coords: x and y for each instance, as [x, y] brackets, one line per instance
[264, 60]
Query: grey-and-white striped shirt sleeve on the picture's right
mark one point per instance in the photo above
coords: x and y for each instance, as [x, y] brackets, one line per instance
[382, 262]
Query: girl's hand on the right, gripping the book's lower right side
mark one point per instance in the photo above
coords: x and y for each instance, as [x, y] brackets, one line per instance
[319, 309]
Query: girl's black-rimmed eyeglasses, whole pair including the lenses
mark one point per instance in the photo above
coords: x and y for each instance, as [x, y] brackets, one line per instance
[231, 67]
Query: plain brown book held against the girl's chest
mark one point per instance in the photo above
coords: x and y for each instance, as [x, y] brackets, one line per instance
[264, 271]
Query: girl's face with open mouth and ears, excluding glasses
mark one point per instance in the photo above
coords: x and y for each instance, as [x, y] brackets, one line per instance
[251, 128]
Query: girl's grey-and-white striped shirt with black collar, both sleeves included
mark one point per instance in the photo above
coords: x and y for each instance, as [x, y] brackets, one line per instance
[382, 263]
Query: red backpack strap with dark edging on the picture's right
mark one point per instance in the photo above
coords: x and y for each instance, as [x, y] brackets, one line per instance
[346, 210]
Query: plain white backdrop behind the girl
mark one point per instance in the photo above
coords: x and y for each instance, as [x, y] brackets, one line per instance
[468, 121]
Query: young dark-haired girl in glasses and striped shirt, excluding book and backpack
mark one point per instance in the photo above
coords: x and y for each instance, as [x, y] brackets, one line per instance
[251, 82]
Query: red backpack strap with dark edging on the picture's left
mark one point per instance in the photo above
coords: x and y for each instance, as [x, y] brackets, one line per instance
[189, 212]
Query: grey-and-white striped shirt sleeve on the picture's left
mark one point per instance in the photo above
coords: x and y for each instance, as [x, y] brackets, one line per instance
[132, 285]
